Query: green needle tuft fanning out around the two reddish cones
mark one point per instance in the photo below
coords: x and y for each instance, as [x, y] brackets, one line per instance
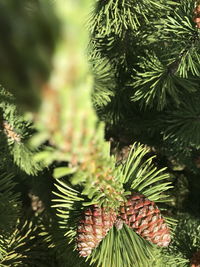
[118, 248]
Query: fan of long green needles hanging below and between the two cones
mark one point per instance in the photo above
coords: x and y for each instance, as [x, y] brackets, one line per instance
[123, 248]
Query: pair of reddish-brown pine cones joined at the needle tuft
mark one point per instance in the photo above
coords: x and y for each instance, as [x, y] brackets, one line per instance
[138, 212]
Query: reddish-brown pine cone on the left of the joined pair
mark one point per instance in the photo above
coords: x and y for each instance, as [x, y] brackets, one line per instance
[93, 227]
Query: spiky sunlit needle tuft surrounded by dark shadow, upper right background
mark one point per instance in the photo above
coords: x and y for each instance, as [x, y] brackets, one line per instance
[158, 83]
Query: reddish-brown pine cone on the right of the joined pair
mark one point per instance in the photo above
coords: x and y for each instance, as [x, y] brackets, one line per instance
[144, 217]
